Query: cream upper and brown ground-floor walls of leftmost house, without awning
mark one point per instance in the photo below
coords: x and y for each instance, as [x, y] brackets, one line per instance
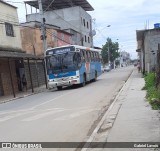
[9, 41]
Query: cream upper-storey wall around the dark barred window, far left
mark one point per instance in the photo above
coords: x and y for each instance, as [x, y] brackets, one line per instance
[9, 14]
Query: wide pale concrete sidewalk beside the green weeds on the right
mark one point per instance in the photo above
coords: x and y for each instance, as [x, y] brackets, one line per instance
[131, 119]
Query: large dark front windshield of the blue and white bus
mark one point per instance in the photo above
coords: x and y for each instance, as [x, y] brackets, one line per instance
[63, 62]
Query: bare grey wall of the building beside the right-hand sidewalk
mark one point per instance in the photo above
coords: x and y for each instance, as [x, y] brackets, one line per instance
[147, 46]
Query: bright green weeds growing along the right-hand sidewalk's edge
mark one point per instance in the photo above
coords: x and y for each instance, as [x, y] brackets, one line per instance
[153, 94]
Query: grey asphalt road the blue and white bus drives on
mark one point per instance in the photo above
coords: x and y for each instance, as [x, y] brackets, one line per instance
[63, 116]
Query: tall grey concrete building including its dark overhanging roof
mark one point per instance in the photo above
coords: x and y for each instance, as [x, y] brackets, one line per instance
[71, 16]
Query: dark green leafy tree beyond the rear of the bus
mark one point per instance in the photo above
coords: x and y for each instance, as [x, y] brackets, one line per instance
[113, 50]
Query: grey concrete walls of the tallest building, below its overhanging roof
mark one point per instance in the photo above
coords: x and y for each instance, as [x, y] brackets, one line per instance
[74, 17]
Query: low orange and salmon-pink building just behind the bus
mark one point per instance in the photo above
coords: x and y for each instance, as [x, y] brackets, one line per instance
[31, 37]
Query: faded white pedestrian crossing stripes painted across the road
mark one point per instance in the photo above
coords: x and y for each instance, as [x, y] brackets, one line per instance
[57, 114]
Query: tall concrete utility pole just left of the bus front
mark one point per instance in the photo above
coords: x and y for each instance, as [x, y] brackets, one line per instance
[43, 37]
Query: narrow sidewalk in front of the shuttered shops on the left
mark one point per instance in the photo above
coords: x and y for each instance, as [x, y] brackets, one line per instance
[40, 89]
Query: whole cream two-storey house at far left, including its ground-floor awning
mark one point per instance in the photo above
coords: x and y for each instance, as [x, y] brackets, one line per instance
[14, 62]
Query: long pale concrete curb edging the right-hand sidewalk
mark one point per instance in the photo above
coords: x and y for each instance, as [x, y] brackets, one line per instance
[94, 133]
